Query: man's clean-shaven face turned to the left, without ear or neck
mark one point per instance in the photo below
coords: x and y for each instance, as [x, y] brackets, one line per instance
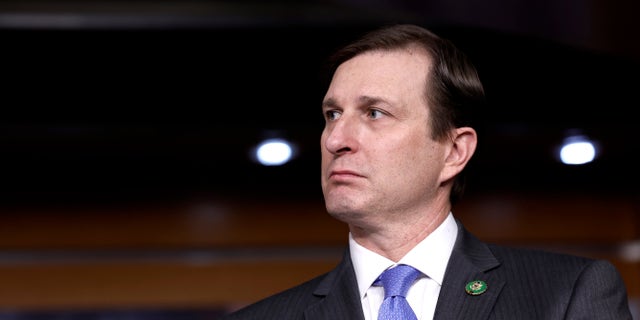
[378, 158]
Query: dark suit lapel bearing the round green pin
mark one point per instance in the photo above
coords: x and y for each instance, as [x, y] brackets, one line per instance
[470, 260]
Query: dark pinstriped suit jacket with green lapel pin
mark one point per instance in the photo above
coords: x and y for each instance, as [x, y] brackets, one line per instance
[522, 284]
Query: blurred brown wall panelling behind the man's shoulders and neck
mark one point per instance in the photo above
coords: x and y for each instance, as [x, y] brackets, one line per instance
[226, 253]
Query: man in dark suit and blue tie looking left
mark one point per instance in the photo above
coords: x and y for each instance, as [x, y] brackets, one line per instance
[396, 140]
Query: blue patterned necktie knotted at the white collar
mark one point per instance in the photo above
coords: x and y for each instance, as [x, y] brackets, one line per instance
[396, 282]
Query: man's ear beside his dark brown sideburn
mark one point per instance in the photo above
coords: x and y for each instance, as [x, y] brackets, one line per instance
[462, 145]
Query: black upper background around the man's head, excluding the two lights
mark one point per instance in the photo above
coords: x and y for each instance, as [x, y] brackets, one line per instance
[129, 101]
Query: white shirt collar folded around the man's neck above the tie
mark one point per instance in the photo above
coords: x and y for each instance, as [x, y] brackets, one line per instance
[430, 256]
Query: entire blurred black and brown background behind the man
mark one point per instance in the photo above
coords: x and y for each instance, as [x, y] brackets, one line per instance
[130, 186]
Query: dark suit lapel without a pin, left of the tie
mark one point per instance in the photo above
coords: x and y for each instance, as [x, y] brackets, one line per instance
[340, 292]
